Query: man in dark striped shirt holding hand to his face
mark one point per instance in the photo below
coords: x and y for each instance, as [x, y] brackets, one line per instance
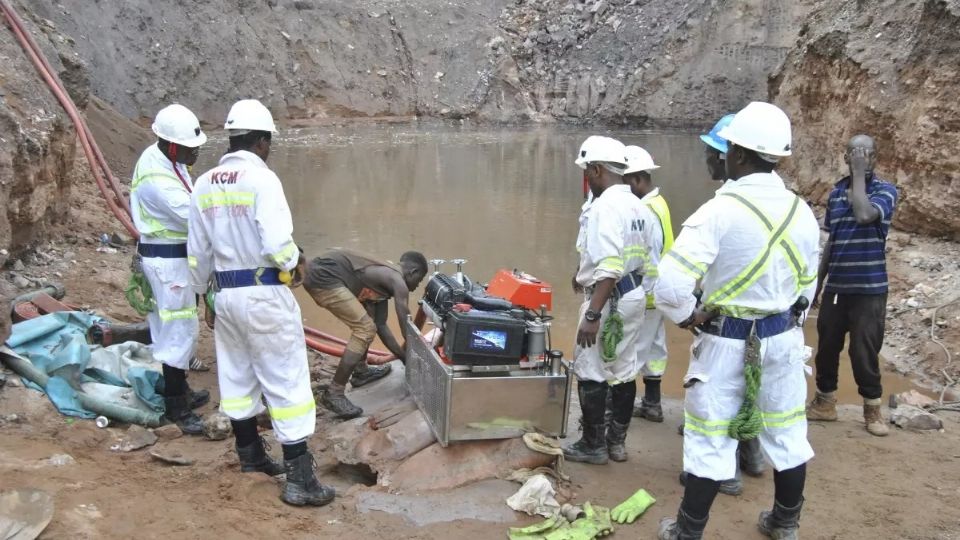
[853, 276]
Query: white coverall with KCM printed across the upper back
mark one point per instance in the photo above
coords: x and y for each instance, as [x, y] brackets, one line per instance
[239, 220]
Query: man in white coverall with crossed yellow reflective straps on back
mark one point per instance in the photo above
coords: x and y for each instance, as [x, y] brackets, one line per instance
[755, 247]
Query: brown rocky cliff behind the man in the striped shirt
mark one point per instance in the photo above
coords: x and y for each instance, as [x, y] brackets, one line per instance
[889, 69]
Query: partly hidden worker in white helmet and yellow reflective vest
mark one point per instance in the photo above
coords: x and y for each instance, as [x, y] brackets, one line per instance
[652, 344]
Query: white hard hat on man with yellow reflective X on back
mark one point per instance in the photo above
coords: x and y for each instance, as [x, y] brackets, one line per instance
[761, 127]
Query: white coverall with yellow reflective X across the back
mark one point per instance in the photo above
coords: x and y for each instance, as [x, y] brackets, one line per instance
[750, 267]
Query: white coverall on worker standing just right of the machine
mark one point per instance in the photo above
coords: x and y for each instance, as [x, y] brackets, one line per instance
[615, 239]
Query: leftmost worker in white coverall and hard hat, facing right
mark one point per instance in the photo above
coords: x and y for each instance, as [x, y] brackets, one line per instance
[160, 204]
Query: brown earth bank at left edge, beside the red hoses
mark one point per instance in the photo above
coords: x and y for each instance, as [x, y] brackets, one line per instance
[38, 140]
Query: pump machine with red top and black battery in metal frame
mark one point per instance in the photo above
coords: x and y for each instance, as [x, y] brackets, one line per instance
[486, 370]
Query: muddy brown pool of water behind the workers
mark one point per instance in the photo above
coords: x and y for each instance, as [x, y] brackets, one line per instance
[500, 198]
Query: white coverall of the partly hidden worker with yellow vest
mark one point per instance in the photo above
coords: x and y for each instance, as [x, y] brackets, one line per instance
[652, 343]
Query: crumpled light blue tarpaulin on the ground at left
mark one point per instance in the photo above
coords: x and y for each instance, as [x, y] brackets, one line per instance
[56, 344]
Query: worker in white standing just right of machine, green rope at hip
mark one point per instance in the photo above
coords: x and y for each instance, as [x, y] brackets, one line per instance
[614, 242]
